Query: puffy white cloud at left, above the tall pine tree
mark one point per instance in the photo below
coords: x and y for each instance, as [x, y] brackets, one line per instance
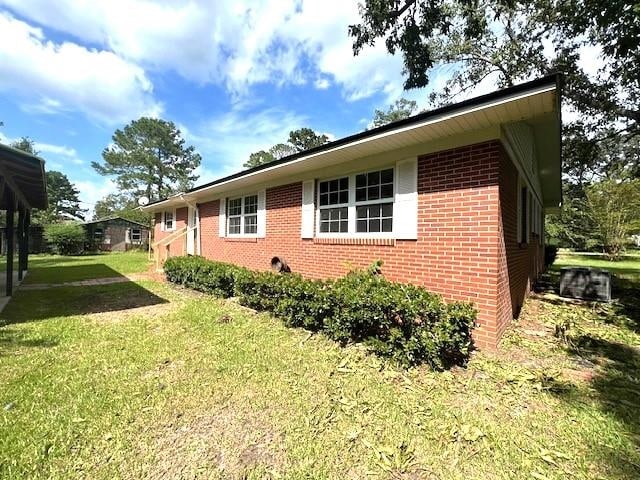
[69, 77]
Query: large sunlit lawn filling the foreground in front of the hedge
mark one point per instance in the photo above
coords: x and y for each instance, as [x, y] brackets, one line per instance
[143, 380]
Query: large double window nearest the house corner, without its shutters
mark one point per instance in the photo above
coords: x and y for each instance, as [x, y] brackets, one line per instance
[360, 203]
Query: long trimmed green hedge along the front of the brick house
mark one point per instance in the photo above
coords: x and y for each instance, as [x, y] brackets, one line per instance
[403, 322]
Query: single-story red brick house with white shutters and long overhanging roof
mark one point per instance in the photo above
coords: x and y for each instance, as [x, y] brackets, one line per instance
[452, 199]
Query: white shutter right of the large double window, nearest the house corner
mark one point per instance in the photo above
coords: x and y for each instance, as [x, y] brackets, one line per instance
[405, 209]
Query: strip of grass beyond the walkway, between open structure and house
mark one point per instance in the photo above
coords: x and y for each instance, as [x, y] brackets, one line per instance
[58, 269]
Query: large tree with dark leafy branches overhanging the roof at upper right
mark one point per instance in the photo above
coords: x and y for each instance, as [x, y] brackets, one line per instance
[509, 41]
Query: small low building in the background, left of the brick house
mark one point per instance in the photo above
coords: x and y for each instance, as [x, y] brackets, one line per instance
[117, 234]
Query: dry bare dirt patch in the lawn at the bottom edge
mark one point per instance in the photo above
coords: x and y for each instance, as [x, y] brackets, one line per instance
[228, 443]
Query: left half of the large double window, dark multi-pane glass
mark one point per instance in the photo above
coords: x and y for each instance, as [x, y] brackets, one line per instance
[334, 201]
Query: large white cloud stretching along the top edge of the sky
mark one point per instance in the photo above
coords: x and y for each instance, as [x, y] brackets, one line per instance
[236, 43]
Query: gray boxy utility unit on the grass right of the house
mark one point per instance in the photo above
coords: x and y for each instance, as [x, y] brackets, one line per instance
[585, 283]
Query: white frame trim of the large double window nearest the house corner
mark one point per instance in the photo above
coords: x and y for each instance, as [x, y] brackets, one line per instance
[352, 204]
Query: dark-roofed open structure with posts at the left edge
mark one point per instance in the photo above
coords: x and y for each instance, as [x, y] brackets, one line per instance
[23, 187]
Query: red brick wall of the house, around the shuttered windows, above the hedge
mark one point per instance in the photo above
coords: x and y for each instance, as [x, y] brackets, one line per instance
[465, 248]
